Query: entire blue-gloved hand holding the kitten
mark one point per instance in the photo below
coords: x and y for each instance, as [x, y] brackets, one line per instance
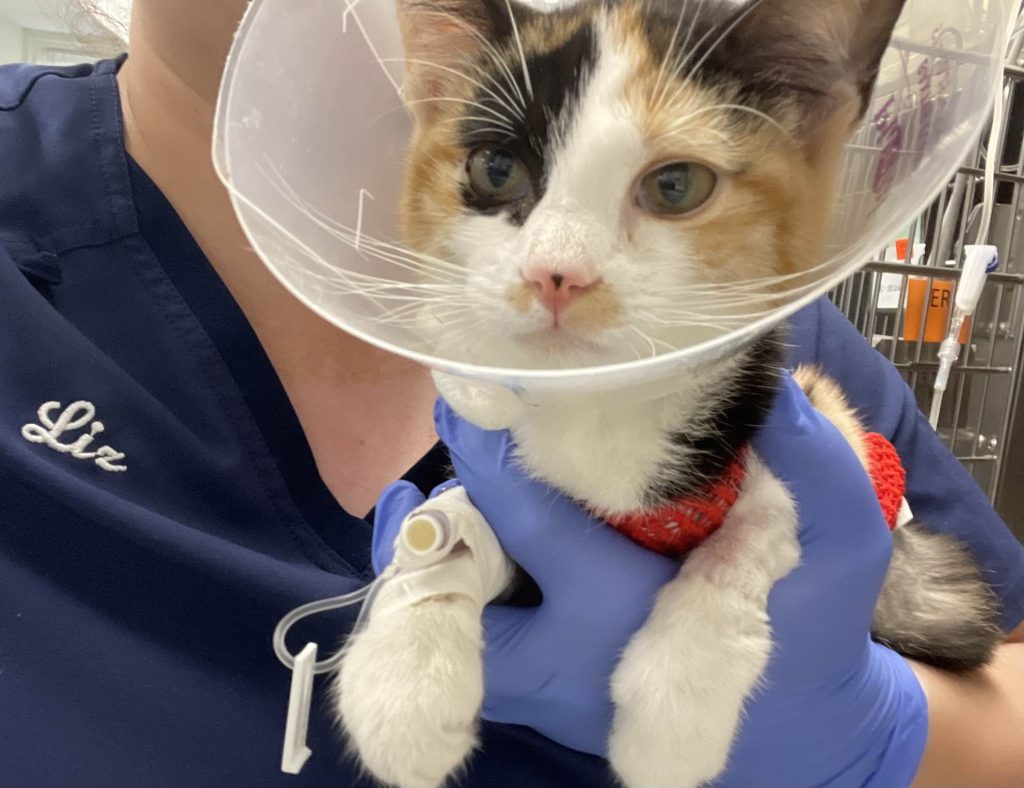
[836, 709]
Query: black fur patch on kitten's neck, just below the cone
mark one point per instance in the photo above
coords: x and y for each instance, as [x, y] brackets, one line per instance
[747, 399]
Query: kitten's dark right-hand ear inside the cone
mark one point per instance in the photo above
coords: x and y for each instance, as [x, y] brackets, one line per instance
[825, 53]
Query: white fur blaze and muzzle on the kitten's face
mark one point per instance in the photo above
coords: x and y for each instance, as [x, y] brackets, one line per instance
[586, 222]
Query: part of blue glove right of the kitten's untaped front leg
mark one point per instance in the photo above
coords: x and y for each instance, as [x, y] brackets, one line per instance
[837, 710]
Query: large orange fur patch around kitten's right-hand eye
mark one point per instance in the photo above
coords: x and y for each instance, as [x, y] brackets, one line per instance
[773, 214]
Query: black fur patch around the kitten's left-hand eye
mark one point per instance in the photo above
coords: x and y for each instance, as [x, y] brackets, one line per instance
[558, 78]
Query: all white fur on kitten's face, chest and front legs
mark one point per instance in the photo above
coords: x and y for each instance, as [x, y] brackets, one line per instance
[411, 686]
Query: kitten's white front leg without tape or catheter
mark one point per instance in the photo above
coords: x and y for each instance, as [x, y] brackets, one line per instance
[680, 688]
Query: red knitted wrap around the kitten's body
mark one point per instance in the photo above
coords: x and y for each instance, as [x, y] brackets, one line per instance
[680, 526]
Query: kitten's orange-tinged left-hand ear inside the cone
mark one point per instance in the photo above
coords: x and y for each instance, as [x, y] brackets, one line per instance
[440, 36]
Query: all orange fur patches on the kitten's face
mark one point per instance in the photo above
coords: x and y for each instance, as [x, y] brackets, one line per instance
[775, 206]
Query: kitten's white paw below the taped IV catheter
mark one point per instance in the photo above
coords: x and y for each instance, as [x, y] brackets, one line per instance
[410, 690]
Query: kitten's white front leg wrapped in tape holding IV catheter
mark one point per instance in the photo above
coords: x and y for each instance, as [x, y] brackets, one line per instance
[411, 685]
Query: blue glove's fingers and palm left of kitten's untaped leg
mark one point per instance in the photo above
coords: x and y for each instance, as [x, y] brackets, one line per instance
[547, 668]
